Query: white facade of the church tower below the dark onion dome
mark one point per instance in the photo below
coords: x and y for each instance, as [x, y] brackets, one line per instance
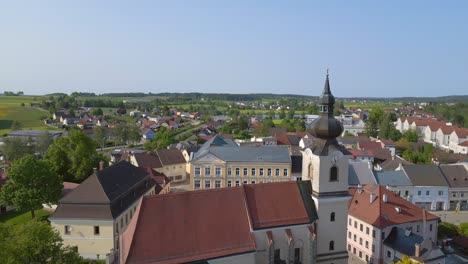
[331, 198]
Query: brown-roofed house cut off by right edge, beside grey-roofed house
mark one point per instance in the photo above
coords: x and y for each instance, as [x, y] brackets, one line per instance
[457, 178]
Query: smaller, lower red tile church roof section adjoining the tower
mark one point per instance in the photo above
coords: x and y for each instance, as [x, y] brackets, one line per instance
[275, 204]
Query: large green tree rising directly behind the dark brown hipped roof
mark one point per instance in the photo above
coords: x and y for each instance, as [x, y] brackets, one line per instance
[73, 157]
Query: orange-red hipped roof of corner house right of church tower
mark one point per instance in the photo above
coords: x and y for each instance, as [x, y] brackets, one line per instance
[382, 214]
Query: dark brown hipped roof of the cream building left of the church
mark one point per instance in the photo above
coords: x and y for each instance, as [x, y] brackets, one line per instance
[105, 194]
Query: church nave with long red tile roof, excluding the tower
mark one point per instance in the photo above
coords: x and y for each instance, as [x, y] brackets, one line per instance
[261, 223]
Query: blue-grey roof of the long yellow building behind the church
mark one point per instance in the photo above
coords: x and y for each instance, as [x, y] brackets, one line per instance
[251, 154]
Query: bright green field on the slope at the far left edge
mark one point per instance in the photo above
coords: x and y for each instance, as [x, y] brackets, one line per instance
[28, 117]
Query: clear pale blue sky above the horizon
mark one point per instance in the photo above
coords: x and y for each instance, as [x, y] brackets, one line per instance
[373, 48]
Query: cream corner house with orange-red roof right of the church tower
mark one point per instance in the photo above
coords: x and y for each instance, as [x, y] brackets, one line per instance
[373, 213]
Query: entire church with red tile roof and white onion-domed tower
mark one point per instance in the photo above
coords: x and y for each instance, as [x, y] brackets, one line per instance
[277, 222]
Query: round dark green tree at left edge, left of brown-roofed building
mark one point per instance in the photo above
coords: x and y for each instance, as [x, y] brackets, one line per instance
[31, 183]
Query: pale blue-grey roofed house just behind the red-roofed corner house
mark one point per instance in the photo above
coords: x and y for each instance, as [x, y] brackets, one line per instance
[396, 181]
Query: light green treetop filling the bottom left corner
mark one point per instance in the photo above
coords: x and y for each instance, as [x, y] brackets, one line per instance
[35, 242]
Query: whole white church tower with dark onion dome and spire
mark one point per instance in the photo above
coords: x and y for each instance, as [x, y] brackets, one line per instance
[325, 164]
